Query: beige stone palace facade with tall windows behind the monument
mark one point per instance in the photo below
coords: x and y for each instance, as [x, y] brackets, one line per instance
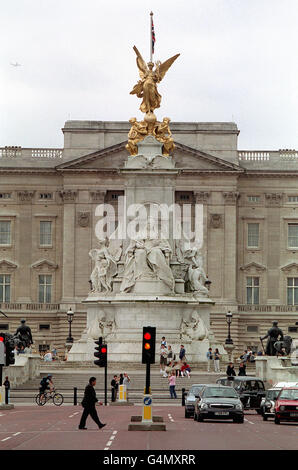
[48, 198]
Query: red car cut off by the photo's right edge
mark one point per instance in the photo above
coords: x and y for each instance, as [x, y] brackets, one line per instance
[286, 405]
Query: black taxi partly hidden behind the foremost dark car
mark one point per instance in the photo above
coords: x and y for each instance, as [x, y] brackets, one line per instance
[251, 390]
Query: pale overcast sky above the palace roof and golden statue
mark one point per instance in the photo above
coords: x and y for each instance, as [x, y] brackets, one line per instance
[238, 63]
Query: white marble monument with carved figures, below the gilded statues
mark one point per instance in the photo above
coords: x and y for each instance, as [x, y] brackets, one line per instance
[149, 279]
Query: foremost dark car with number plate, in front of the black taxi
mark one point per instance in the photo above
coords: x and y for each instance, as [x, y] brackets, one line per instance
[219, 402]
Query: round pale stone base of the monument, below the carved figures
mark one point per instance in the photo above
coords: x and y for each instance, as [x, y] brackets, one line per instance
[120, 318]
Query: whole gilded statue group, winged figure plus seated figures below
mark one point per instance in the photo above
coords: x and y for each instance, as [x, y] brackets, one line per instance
[146, 88]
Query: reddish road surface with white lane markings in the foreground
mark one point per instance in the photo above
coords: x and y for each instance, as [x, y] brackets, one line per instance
[56, 428]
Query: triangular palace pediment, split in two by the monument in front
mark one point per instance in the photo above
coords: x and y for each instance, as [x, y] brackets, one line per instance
[114, 157]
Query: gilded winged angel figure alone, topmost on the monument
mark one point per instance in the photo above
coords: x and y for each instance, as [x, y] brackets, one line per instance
[146, 88]
